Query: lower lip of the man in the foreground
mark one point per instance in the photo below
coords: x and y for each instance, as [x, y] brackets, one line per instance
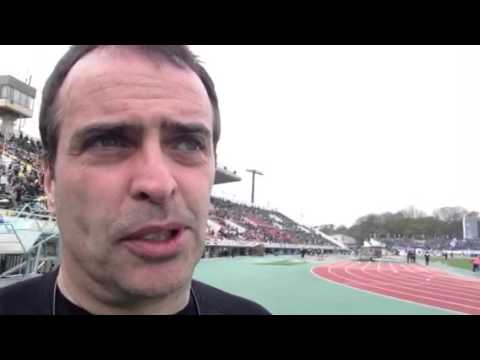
[156, 249]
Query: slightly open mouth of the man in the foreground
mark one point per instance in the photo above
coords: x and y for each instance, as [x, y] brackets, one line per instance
[156, 242]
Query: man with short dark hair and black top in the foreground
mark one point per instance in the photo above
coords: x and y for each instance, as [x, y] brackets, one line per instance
[130, 135]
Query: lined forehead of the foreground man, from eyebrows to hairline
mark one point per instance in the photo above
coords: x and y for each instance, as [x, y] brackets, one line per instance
[112, 80]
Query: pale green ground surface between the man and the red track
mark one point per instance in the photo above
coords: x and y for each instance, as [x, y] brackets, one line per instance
[293, 290]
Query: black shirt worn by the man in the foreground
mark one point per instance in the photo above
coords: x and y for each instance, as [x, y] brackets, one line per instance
[35, 297]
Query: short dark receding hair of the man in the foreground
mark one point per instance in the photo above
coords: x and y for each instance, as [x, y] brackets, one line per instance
[179, 55]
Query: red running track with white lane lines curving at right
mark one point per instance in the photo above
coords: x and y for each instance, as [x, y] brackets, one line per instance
[411, 282]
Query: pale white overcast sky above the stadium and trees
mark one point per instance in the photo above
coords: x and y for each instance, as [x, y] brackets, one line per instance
[338, 131]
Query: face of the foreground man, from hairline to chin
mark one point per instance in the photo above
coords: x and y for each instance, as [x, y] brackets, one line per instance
[134, 169]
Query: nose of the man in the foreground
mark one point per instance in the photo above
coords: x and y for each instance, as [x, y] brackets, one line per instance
[153, 178]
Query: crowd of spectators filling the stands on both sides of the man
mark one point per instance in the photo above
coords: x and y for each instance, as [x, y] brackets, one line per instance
[21, 182]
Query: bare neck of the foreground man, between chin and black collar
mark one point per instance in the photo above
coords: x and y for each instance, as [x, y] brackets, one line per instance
[96, 299]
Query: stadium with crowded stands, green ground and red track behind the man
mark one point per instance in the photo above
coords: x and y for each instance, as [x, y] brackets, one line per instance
[251, 251]
